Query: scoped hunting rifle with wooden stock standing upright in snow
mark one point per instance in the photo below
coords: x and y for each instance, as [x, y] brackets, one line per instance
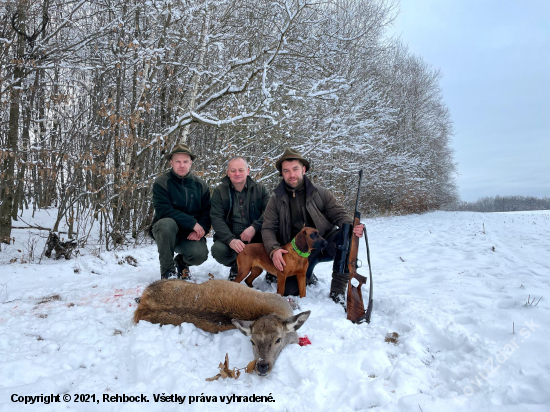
[355, 308]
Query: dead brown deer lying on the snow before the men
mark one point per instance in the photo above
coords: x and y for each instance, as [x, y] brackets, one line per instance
[219, 305]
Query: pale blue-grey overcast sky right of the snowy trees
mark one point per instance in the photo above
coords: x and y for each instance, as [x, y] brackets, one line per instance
[495, 60]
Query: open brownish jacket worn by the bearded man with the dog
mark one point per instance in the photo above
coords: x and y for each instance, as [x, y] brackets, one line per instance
[320, 204]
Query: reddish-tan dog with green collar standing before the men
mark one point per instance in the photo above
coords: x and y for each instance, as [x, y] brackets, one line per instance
[253, 259]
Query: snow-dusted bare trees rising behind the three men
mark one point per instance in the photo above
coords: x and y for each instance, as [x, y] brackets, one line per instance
[93, 94]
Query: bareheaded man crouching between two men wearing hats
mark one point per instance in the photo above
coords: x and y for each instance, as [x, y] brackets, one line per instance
[237, 210]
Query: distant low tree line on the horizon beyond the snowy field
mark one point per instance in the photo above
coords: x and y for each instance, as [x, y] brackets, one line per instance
[503, 204]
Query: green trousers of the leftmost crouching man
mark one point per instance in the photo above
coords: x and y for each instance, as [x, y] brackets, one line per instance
[165, 232]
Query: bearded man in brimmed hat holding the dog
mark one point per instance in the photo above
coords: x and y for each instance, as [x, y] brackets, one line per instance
[297, 201]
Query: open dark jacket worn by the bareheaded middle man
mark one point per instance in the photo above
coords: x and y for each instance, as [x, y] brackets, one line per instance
[256, 201]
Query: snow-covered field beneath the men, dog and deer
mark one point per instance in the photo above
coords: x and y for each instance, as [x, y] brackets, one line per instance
[452, 286]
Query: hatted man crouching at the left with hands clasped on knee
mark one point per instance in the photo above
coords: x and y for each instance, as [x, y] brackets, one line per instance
[182, 215]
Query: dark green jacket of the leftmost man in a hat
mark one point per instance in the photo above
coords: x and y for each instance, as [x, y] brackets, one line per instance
[186, 200]
